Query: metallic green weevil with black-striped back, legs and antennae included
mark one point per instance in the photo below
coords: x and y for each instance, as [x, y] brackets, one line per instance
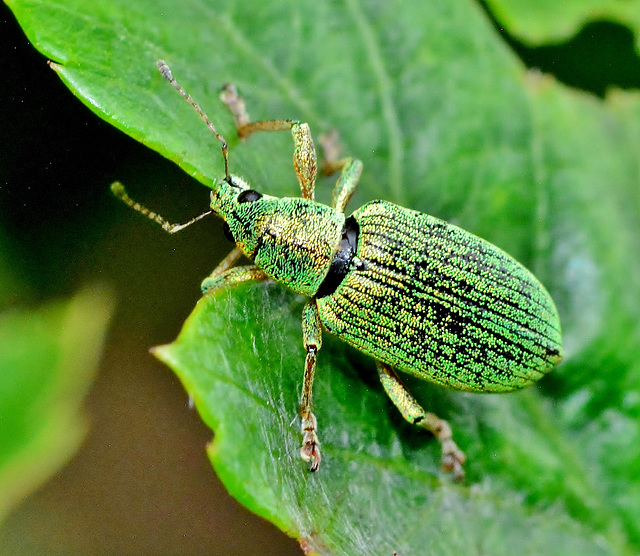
[416, 293]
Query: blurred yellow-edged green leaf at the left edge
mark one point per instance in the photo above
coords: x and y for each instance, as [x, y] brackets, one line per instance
[47, 362]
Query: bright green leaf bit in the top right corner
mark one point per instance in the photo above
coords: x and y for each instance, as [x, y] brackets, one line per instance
[540, 21]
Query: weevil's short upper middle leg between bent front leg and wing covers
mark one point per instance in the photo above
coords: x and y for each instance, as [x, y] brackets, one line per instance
[351, 170]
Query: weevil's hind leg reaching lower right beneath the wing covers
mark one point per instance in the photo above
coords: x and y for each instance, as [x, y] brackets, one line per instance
[452, 456]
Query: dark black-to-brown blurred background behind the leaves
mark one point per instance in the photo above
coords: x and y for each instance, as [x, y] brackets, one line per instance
[141, 483]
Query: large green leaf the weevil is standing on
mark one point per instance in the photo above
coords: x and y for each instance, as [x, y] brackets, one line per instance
[447, 121]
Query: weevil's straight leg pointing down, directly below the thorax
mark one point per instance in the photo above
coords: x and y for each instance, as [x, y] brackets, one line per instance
[312, 338]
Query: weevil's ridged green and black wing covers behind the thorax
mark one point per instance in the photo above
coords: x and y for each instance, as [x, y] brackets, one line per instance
[445, 305]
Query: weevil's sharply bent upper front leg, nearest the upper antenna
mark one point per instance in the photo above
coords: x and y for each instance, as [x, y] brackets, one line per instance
[305, 160]
